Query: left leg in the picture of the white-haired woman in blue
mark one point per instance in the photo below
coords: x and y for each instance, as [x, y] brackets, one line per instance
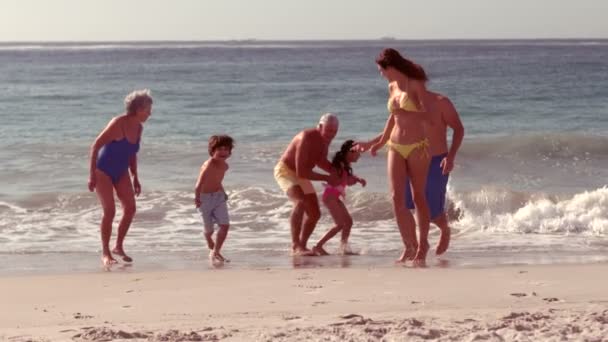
[105, 193]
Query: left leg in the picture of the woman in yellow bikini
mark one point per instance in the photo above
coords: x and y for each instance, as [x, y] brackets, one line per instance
[397, 174]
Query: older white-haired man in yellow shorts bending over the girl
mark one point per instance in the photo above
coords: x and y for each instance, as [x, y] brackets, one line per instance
[294, 173]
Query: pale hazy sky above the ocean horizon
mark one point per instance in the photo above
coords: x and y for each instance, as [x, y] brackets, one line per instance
[129, 20]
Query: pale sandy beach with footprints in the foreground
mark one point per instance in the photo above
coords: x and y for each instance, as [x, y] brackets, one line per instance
[512, 302]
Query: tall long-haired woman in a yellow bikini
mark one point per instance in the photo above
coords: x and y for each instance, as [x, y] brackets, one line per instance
[405, 135]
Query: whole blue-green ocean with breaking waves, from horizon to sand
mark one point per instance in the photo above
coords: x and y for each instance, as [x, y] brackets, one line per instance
[530, 184]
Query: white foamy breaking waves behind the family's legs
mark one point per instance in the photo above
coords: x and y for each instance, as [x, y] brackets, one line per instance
[167, 220]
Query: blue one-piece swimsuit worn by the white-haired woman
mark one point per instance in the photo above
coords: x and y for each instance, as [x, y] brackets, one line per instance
[113, 158]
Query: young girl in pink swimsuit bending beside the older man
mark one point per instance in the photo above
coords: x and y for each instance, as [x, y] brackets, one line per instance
[331, 197]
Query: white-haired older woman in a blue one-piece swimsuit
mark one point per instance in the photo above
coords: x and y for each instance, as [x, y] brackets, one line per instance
[113, 154]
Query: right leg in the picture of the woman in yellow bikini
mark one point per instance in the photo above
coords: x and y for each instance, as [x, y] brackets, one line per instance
[418, 167]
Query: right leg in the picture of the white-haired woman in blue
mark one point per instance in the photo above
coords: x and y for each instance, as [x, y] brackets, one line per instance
[124, 191]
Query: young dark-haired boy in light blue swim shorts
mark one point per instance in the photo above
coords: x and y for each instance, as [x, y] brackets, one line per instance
[209, 195]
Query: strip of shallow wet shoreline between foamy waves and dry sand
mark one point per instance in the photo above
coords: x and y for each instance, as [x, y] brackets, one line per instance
[80, 263]
